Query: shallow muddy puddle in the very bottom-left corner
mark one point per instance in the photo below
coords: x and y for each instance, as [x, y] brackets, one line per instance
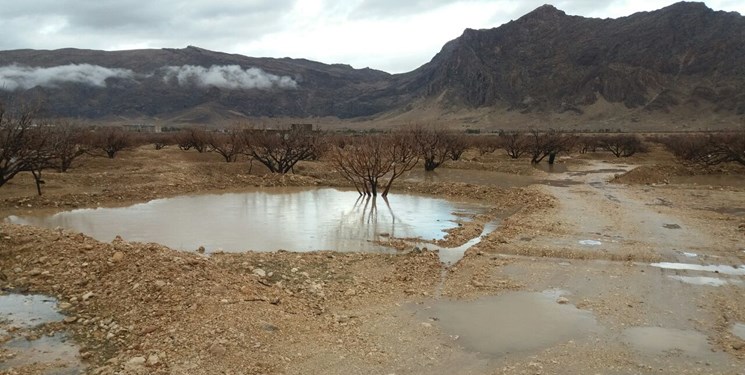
[54, 352]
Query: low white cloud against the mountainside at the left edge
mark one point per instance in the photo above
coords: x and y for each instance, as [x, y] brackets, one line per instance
[13, 77]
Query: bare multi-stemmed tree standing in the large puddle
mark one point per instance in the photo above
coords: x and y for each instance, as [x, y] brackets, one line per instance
[366, 161]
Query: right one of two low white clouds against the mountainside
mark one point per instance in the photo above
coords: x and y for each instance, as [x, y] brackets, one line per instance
[227, 77]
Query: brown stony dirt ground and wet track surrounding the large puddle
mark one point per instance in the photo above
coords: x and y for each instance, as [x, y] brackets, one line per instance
[599, 242]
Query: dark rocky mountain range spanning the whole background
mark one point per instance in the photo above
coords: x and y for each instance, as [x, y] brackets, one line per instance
[684, 62]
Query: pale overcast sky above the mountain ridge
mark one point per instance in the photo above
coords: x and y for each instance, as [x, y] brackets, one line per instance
[391, 35]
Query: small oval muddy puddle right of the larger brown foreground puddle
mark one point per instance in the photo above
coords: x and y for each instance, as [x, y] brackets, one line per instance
[657, 340]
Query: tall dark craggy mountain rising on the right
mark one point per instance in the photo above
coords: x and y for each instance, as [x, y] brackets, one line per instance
[548, 61]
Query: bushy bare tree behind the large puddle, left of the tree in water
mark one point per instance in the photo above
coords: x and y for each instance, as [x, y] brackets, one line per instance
[280, 150]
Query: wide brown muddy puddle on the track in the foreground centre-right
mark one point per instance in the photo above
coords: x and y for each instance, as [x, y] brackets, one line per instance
[510, 323]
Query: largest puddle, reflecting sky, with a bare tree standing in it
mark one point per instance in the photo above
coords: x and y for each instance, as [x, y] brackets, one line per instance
[267, 220]
